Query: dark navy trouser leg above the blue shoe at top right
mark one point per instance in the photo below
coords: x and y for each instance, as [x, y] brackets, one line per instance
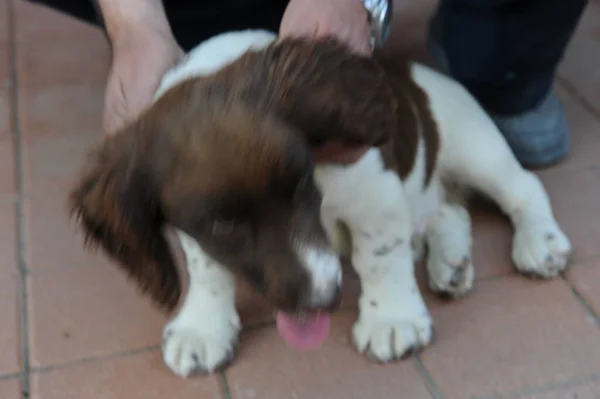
[506, 51]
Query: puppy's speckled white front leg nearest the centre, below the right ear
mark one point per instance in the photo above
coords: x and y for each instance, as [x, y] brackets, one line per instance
[393, 318]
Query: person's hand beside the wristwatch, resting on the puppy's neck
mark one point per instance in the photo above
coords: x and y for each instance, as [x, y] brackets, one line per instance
[345, 20]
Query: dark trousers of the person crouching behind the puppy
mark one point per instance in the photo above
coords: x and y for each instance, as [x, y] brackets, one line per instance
[504, 51]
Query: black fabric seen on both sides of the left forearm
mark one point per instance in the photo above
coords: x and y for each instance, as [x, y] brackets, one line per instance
[194, 21]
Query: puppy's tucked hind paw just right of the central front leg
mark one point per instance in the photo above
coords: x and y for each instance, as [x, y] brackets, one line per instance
[452, 277]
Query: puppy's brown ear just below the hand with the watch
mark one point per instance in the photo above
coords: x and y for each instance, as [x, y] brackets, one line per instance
[337, 98]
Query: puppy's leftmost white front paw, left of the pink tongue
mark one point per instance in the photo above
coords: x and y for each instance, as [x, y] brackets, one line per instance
[199, 346]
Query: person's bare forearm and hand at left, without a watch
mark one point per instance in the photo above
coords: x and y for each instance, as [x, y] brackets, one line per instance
[143, 50]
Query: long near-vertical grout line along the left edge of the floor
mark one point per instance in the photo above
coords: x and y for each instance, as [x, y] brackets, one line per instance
[18, 151]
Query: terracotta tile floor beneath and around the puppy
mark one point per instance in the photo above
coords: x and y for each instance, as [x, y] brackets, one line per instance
[72, 327]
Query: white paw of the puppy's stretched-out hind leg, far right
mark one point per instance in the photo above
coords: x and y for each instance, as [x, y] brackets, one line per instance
[540, 249]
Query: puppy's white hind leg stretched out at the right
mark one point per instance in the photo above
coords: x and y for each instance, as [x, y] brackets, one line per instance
[487, 164]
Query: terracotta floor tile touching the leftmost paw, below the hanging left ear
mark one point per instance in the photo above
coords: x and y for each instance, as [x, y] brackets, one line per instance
[78, 313]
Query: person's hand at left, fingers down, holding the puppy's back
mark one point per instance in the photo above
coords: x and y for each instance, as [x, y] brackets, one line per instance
[141, 57]
